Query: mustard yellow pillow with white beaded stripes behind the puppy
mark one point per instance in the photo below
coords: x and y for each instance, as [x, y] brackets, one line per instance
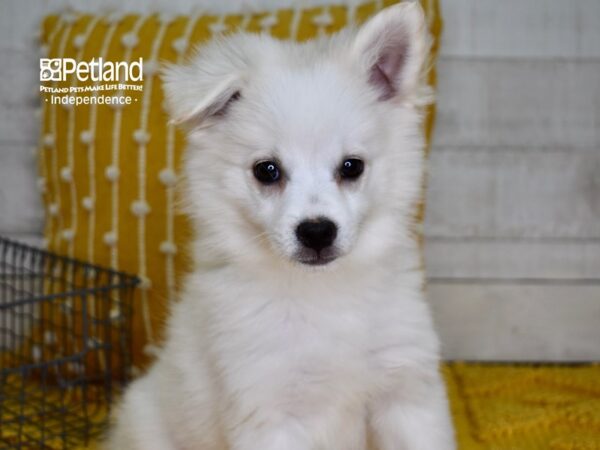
[108, 173]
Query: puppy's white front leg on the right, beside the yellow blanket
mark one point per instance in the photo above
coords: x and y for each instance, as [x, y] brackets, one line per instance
[408, 419]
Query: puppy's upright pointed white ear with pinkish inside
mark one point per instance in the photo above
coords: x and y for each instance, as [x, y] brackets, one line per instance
[392, 48]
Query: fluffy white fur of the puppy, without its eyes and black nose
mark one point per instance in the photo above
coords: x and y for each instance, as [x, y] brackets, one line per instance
[262, 352]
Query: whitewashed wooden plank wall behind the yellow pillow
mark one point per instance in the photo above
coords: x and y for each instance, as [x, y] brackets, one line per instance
[513, 219]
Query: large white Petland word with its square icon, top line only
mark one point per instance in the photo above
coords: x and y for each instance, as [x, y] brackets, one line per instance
[97, 70]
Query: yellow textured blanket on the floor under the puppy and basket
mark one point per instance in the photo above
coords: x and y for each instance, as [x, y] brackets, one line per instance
[506, 407]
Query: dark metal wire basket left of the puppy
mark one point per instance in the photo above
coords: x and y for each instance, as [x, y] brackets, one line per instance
[64, 347]
